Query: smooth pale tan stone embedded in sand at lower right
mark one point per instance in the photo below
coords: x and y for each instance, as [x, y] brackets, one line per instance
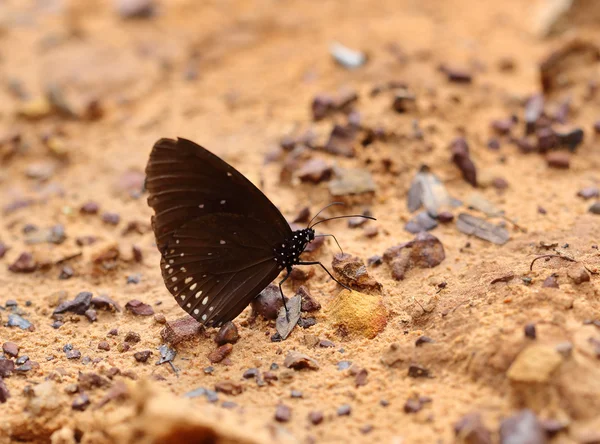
[535, 363]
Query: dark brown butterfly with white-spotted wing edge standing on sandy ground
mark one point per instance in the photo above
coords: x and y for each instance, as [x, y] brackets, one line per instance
[222, 241]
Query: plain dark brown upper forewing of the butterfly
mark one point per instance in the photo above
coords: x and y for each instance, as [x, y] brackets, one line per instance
[185, 182]
